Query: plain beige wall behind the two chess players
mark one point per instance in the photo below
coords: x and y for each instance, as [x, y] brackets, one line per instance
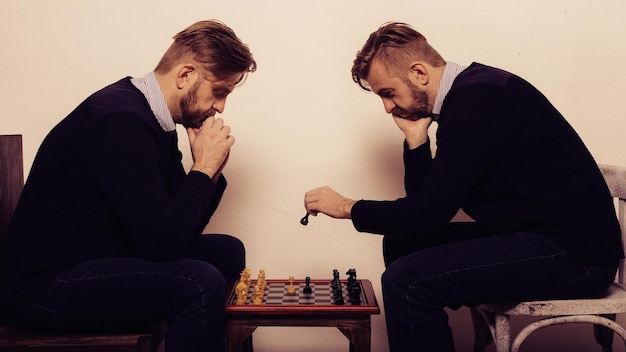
[300, 122]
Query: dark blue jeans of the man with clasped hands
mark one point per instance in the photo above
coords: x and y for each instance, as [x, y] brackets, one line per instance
[126, 294]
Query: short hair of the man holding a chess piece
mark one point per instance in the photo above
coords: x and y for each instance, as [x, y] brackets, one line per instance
[396, 45]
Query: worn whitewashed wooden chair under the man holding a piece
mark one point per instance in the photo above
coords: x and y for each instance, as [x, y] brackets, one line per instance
[492, 321]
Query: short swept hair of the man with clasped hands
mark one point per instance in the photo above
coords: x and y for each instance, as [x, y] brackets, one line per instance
[214, 46]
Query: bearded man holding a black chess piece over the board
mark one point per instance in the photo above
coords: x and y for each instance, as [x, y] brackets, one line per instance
[544, 225]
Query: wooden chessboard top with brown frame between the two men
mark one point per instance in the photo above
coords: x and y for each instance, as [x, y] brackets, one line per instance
[320, 299]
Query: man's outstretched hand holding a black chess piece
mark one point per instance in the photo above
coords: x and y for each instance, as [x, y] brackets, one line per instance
[327, 201]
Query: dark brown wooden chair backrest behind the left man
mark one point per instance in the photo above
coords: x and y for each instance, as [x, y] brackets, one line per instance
[11, 183]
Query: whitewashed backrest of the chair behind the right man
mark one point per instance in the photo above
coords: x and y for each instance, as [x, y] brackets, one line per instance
[615, 177]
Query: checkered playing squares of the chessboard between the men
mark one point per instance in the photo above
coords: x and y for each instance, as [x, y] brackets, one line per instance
[276, 294]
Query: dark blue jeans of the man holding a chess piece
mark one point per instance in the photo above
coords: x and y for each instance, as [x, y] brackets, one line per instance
[463, 266]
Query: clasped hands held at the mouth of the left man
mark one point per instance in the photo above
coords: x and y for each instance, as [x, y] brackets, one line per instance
[210, 146]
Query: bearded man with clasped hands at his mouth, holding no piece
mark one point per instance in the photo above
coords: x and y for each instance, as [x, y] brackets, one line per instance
[107, 232]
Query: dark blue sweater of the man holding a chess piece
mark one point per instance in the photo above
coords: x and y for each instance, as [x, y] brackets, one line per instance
[509, 159]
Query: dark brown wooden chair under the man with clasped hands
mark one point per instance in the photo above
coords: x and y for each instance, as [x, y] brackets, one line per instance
[14, 340]
